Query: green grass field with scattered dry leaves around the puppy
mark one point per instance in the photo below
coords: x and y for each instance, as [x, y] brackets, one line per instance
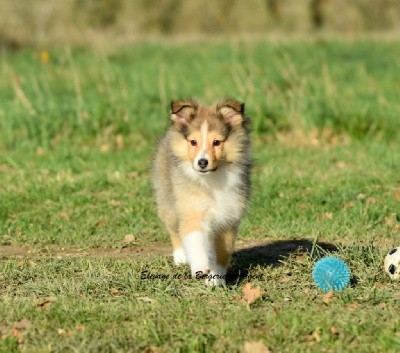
[85, 265]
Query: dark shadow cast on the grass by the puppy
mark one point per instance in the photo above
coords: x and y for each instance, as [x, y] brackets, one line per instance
[271, 254]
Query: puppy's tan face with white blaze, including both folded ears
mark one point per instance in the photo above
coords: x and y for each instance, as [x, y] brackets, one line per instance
[204, 135]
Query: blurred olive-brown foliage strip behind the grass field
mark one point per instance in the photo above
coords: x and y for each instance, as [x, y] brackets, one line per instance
[36, 22]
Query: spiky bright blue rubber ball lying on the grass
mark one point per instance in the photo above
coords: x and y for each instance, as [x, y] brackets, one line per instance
[331, 273]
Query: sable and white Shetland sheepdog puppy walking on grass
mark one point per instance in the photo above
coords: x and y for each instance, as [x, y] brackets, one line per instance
[201, 178]
